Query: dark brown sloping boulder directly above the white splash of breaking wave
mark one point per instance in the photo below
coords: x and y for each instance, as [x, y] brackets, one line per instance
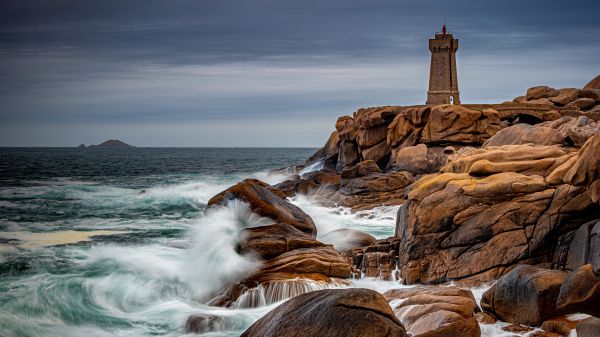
[264, 202]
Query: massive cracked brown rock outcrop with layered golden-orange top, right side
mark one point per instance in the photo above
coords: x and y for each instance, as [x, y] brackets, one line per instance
[511, 198]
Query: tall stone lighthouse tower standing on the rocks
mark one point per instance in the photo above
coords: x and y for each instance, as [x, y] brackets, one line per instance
[443, 82]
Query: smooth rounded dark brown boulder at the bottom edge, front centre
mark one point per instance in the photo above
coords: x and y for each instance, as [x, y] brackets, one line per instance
[344, 313]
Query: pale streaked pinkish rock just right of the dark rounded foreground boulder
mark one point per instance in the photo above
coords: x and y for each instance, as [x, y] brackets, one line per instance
[435, 311]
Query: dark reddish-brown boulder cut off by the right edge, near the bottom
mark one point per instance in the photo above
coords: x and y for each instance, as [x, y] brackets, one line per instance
[580, 292]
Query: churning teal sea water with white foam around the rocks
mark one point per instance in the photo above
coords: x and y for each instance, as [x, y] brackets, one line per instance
[116, 243]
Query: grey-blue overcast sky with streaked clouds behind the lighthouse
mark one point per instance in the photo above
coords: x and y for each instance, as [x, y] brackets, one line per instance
[264, 72]
